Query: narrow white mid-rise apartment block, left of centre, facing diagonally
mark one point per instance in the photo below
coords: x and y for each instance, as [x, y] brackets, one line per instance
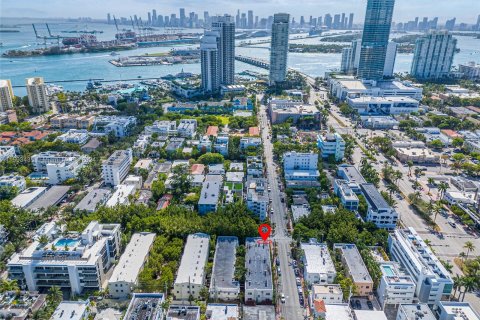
[116, 168]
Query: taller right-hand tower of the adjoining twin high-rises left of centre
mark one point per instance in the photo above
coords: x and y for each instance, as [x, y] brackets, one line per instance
[225, 26]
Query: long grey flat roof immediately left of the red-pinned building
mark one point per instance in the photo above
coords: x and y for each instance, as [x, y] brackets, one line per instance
[224, 264]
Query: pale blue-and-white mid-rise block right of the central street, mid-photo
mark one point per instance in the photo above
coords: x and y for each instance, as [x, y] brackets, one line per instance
[300, 166]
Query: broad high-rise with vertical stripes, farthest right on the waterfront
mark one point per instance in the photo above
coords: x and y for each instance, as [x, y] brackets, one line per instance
[433, 55]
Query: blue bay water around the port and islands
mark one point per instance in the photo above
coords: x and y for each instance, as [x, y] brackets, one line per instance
[96, 65]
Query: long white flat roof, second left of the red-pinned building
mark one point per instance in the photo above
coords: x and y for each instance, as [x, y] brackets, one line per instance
[194, 258]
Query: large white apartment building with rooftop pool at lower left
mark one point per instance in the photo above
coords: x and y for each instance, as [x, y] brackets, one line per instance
[77, 262]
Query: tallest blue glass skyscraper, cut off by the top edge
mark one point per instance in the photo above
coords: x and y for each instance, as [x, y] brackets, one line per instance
[376, 30]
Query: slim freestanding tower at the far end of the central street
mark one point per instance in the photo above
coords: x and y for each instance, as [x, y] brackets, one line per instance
[279, 48]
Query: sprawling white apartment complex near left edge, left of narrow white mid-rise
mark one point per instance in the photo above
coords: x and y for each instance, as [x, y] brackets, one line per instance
[60, 166]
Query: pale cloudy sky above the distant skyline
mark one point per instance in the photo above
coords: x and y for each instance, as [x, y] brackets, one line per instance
[465, 10]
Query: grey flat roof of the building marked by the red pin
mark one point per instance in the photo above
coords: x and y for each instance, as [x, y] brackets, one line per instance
[257, 263]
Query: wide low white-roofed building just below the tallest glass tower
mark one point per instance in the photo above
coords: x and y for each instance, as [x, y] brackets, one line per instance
[367, 105]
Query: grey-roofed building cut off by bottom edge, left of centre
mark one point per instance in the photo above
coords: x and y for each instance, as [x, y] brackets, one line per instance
[145, 306]
